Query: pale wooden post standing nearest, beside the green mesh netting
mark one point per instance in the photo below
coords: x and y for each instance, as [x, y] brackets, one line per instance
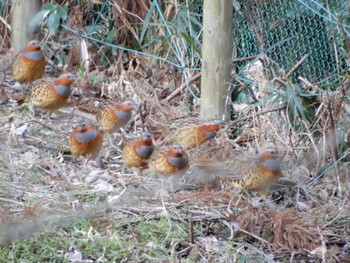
[216, 57]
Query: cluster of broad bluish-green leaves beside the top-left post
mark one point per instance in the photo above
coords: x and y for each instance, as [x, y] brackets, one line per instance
[50, 15]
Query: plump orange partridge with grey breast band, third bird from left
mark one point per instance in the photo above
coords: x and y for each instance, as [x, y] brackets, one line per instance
[86, 140]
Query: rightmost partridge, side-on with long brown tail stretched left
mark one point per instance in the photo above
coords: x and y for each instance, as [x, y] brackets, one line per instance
[253, 174]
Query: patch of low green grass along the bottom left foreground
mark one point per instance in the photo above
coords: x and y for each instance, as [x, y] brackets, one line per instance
[147, 239]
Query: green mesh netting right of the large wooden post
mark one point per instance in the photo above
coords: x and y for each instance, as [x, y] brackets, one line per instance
[287, 30]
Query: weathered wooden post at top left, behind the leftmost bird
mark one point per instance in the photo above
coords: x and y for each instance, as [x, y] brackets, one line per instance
[23, 11]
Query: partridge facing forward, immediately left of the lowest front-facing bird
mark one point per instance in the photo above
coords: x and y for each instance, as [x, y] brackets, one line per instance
[137, 153]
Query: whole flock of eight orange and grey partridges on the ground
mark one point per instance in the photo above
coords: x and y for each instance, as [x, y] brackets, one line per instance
[256, 174]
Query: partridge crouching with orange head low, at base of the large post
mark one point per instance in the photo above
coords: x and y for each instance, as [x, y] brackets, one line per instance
[191, 132]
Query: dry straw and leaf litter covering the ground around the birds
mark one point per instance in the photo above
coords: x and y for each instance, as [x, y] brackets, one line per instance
[52, 202]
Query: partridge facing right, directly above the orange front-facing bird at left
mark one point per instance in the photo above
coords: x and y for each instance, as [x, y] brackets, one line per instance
[110, 118]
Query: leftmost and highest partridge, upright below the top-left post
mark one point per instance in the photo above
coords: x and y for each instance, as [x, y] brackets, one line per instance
[29, 64]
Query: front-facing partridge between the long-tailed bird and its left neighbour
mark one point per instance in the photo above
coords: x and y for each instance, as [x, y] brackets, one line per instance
[169, 161]
